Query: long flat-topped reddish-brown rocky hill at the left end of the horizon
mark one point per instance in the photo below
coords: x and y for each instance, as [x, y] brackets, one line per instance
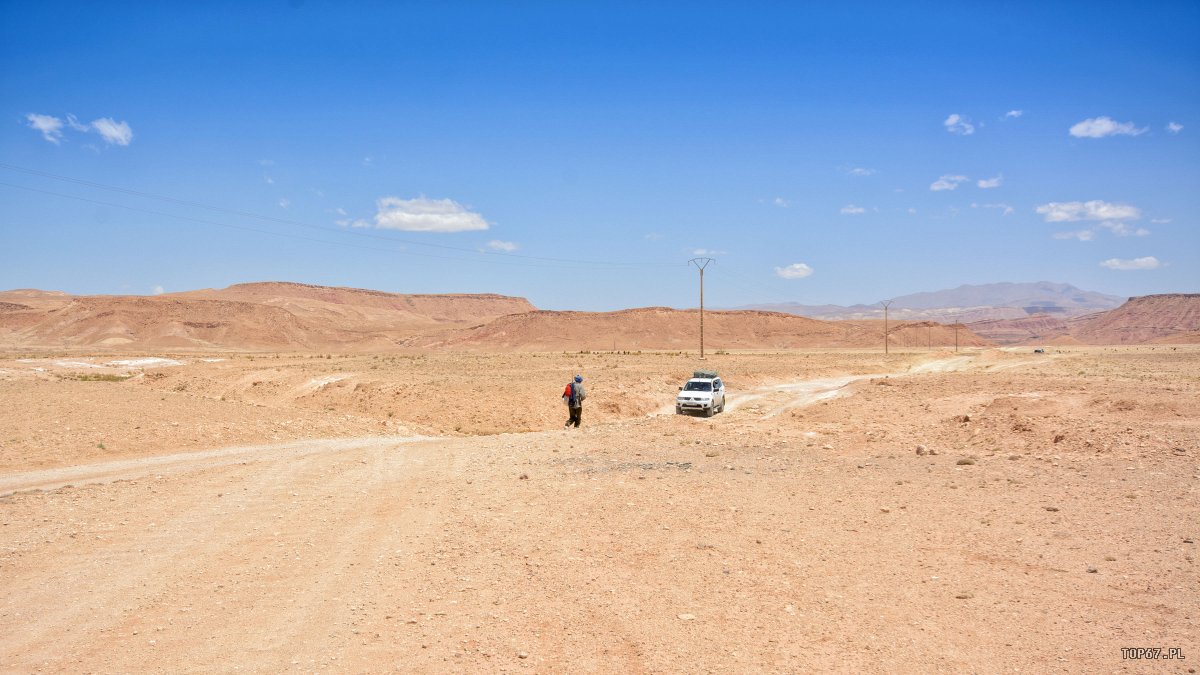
[251, 316]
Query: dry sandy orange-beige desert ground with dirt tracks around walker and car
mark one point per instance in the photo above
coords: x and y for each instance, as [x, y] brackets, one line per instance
[920, 512]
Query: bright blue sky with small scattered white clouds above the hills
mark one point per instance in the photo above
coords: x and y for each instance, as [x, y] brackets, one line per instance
[580, 154]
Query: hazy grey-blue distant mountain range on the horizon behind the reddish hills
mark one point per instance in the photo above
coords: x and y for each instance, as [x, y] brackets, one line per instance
[968, 303]
